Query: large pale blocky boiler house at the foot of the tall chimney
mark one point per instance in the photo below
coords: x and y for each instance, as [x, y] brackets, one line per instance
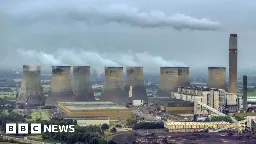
[215, 98]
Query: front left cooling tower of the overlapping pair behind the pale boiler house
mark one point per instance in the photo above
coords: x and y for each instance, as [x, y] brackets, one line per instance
[169, 81]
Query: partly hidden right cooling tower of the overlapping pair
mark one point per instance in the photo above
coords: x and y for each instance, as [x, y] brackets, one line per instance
[183, 79]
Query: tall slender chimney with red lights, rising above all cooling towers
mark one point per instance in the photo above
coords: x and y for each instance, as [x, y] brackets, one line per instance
[232, 87]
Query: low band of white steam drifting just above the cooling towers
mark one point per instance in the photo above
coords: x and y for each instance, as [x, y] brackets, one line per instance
[95, 60]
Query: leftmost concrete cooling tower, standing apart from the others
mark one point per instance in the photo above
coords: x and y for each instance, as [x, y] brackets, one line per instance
[31, 91]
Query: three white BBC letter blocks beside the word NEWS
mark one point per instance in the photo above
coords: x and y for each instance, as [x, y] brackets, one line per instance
[11, 128]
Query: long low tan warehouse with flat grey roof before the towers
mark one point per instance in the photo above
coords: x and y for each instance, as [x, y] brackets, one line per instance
[94, 110]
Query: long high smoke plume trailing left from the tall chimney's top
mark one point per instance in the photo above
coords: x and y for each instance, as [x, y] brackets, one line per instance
[68, 11]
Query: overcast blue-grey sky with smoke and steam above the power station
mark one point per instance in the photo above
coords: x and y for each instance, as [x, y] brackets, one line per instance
[151, 33]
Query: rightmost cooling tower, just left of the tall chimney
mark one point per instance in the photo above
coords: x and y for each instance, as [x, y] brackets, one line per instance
[217, 77]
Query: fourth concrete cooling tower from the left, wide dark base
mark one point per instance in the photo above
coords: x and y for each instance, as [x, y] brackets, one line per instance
[113, 88]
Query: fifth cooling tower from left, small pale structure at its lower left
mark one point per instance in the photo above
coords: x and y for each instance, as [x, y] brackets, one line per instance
[135, 78]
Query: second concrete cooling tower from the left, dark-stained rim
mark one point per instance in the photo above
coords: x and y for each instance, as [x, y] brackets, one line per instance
[61, 89]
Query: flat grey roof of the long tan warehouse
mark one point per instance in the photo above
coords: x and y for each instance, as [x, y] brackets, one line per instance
[90, 105]
